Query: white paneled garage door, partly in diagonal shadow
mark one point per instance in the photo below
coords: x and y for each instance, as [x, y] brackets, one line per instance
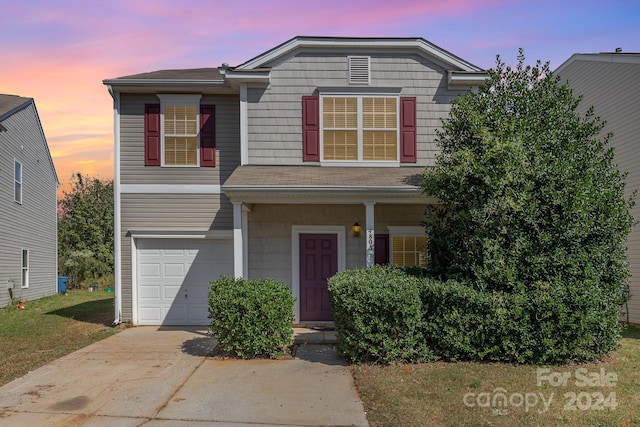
[173, 278]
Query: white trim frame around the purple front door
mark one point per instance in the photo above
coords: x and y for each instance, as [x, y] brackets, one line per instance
[296, 230]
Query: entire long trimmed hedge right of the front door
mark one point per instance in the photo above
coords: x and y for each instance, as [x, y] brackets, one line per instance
[383, 314]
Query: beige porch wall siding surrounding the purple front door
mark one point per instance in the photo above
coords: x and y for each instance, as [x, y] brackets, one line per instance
[270, 228]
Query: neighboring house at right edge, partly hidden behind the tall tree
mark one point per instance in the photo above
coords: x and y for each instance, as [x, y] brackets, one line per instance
[611, 83]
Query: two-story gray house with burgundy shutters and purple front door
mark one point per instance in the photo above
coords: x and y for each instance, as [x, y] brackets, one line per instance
[301, 162]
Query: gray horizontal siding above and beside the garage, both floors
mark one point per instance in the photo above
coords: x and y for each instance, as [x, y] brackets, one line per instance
[172, 212]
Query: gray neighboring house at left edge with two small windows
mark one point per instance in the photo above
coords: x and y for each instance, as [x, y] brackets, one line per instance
[28, 204]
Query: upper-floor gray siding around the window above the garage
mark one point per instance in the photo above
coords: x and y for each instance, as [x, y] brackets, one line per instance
[132, 168]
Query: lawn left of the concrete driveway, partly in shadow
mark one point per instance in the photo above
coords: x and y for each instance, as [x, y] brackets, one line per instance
[50, 328]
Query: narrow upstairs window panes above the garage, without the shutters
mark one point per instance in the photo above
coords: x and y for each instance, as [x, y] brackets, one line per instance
[180, 129]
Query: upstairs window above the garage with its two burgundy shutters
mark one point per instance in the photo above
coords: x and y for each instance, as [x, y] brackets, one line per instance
[180, 131]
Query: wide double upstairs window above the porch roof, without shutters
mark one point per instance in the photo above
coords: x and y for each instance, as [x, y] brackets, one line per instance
[358, 128]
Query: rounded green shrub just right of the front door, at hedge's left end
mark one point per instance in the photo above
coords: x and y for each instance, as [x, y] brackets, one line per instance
[377, 314]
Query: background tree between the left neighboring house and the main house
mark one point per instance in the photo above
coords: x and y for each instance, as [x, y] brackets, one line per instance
[85, 230]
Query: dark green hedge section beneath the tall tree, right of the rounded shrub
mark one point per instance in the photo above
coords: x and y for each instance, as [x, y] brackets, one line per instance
[555, 324]
